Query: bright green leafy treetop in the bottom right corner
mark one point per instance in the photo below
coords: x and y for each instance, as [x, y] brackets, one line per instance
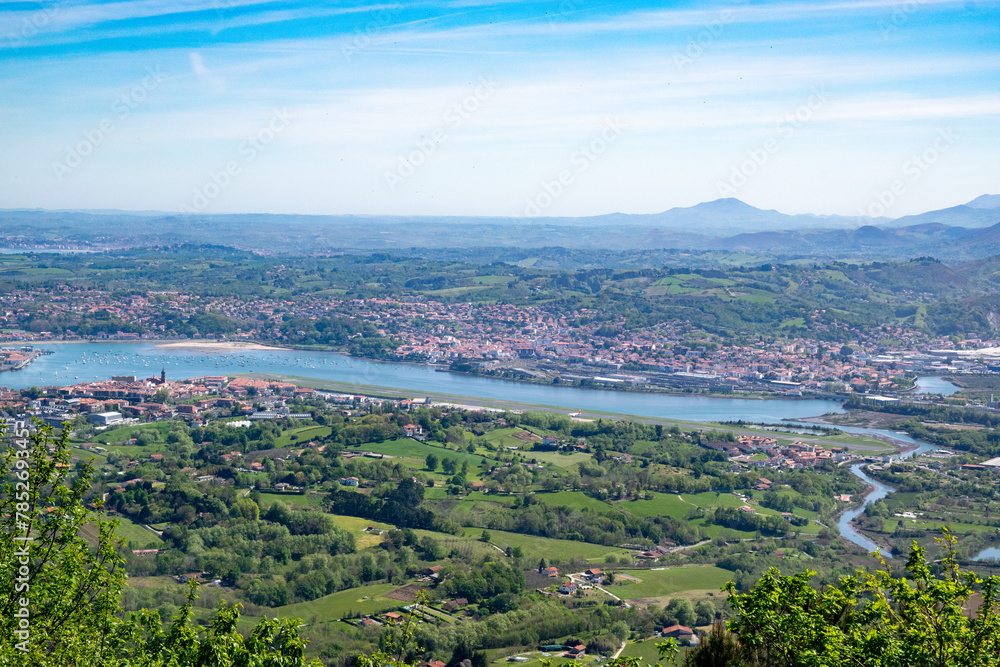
[875, 618]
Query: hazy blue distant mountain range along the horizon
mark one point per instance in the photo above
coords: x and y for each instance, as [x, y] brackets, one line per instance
[964, 232]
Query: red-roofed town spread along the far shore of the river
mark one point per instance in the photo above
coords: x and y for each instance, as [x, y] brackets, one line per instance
[529, 343]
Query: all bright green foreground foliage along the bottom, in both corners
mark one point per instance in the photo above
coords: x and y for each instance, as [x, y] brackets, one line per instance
[60, 598]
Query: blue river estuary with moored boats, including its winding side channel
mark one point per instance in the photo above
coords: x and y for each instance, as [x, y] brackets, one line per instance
[80, 362]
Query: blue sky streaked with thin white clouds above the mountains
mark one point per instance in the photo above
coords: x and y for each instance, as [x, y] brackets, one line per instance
[515, 109]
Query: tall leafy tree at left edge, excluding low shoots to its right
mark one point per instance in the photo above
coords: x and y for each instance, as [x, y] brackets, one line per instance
[58, 598]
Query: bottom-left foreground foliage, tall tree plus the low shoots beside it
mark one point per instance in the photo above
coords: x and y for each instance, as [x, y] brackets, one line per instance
[61, 597]
